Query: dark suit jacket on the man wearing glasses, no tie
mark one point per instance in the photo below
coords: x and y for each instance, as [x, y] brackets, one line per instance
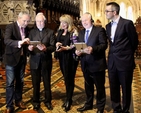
[121, 50]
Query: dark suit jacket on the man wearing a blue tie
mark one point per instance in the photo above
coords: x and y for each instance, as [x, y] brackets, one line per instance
[96, 61]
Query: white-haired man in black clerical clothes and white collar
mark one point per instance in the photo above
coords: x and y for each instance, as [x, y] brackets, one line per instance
[41, 60]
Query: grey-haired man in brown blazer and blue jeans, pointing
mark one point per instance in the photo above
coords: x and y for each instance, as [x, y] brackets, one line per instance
[15, 60]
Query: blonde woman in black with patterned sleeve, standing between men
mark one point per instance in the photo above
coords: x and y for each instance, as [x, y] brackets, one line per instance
[66, 36]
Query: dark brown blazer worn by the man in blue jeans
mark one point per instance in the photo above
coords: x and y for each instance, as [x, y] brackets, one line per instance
[11, 39]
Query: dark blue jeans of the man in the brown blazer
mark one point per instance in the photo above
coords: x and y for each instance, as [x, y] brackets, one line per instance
[14, 83]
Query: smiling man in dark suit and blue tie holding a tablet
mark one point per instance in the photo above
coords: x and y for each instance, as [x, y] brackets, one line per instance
[93, 62]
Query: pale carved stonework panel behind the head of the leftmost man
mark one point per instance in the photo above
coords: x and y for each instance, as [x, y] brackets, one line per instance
[10, 9]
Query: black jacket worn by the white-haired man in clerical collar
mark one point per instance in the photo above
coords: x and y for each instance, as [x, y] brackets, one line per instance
[37, 56]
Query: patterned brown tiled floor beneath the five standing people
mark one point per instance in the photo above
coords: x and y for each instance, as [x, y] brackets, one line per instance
[58, 92]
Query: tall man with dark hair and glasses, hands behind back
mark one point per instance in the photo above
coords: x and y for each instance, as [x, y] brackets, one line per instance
[123, 41]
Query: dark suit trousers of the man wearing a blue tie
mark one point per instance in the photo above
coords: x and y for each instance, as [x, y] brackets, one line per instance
[97, 79]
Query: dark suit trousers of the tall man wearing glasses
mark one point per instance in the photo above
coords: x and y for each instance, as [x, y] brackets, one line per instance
[120, 81]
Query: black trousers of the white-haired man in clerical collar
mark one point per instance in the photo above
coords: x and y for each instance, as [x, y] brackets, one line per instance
[36, 79]
